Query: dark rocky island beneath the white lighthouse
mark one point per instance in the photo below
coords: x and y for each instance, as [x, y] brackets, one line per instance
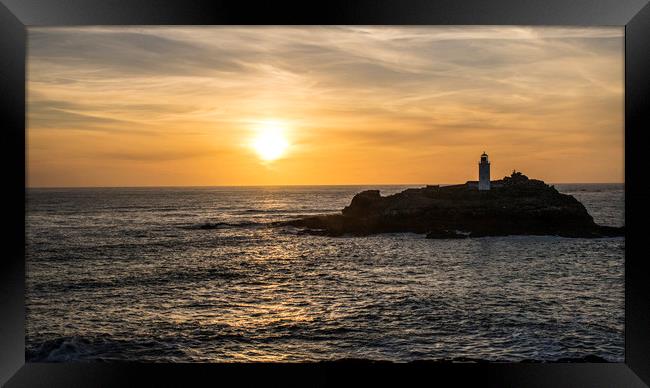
[515, 205]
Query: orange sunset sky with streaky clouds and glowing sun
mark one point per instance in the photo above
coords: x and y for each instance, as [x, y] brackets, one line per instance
[181, 106]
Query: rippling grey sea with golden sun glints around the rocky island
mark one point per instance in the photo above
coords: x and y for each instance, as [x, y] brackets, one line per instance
[129, 274]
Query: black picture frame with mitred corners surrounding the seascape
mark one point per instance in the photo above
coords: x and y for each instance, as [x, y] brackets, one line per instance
[15, 15]
